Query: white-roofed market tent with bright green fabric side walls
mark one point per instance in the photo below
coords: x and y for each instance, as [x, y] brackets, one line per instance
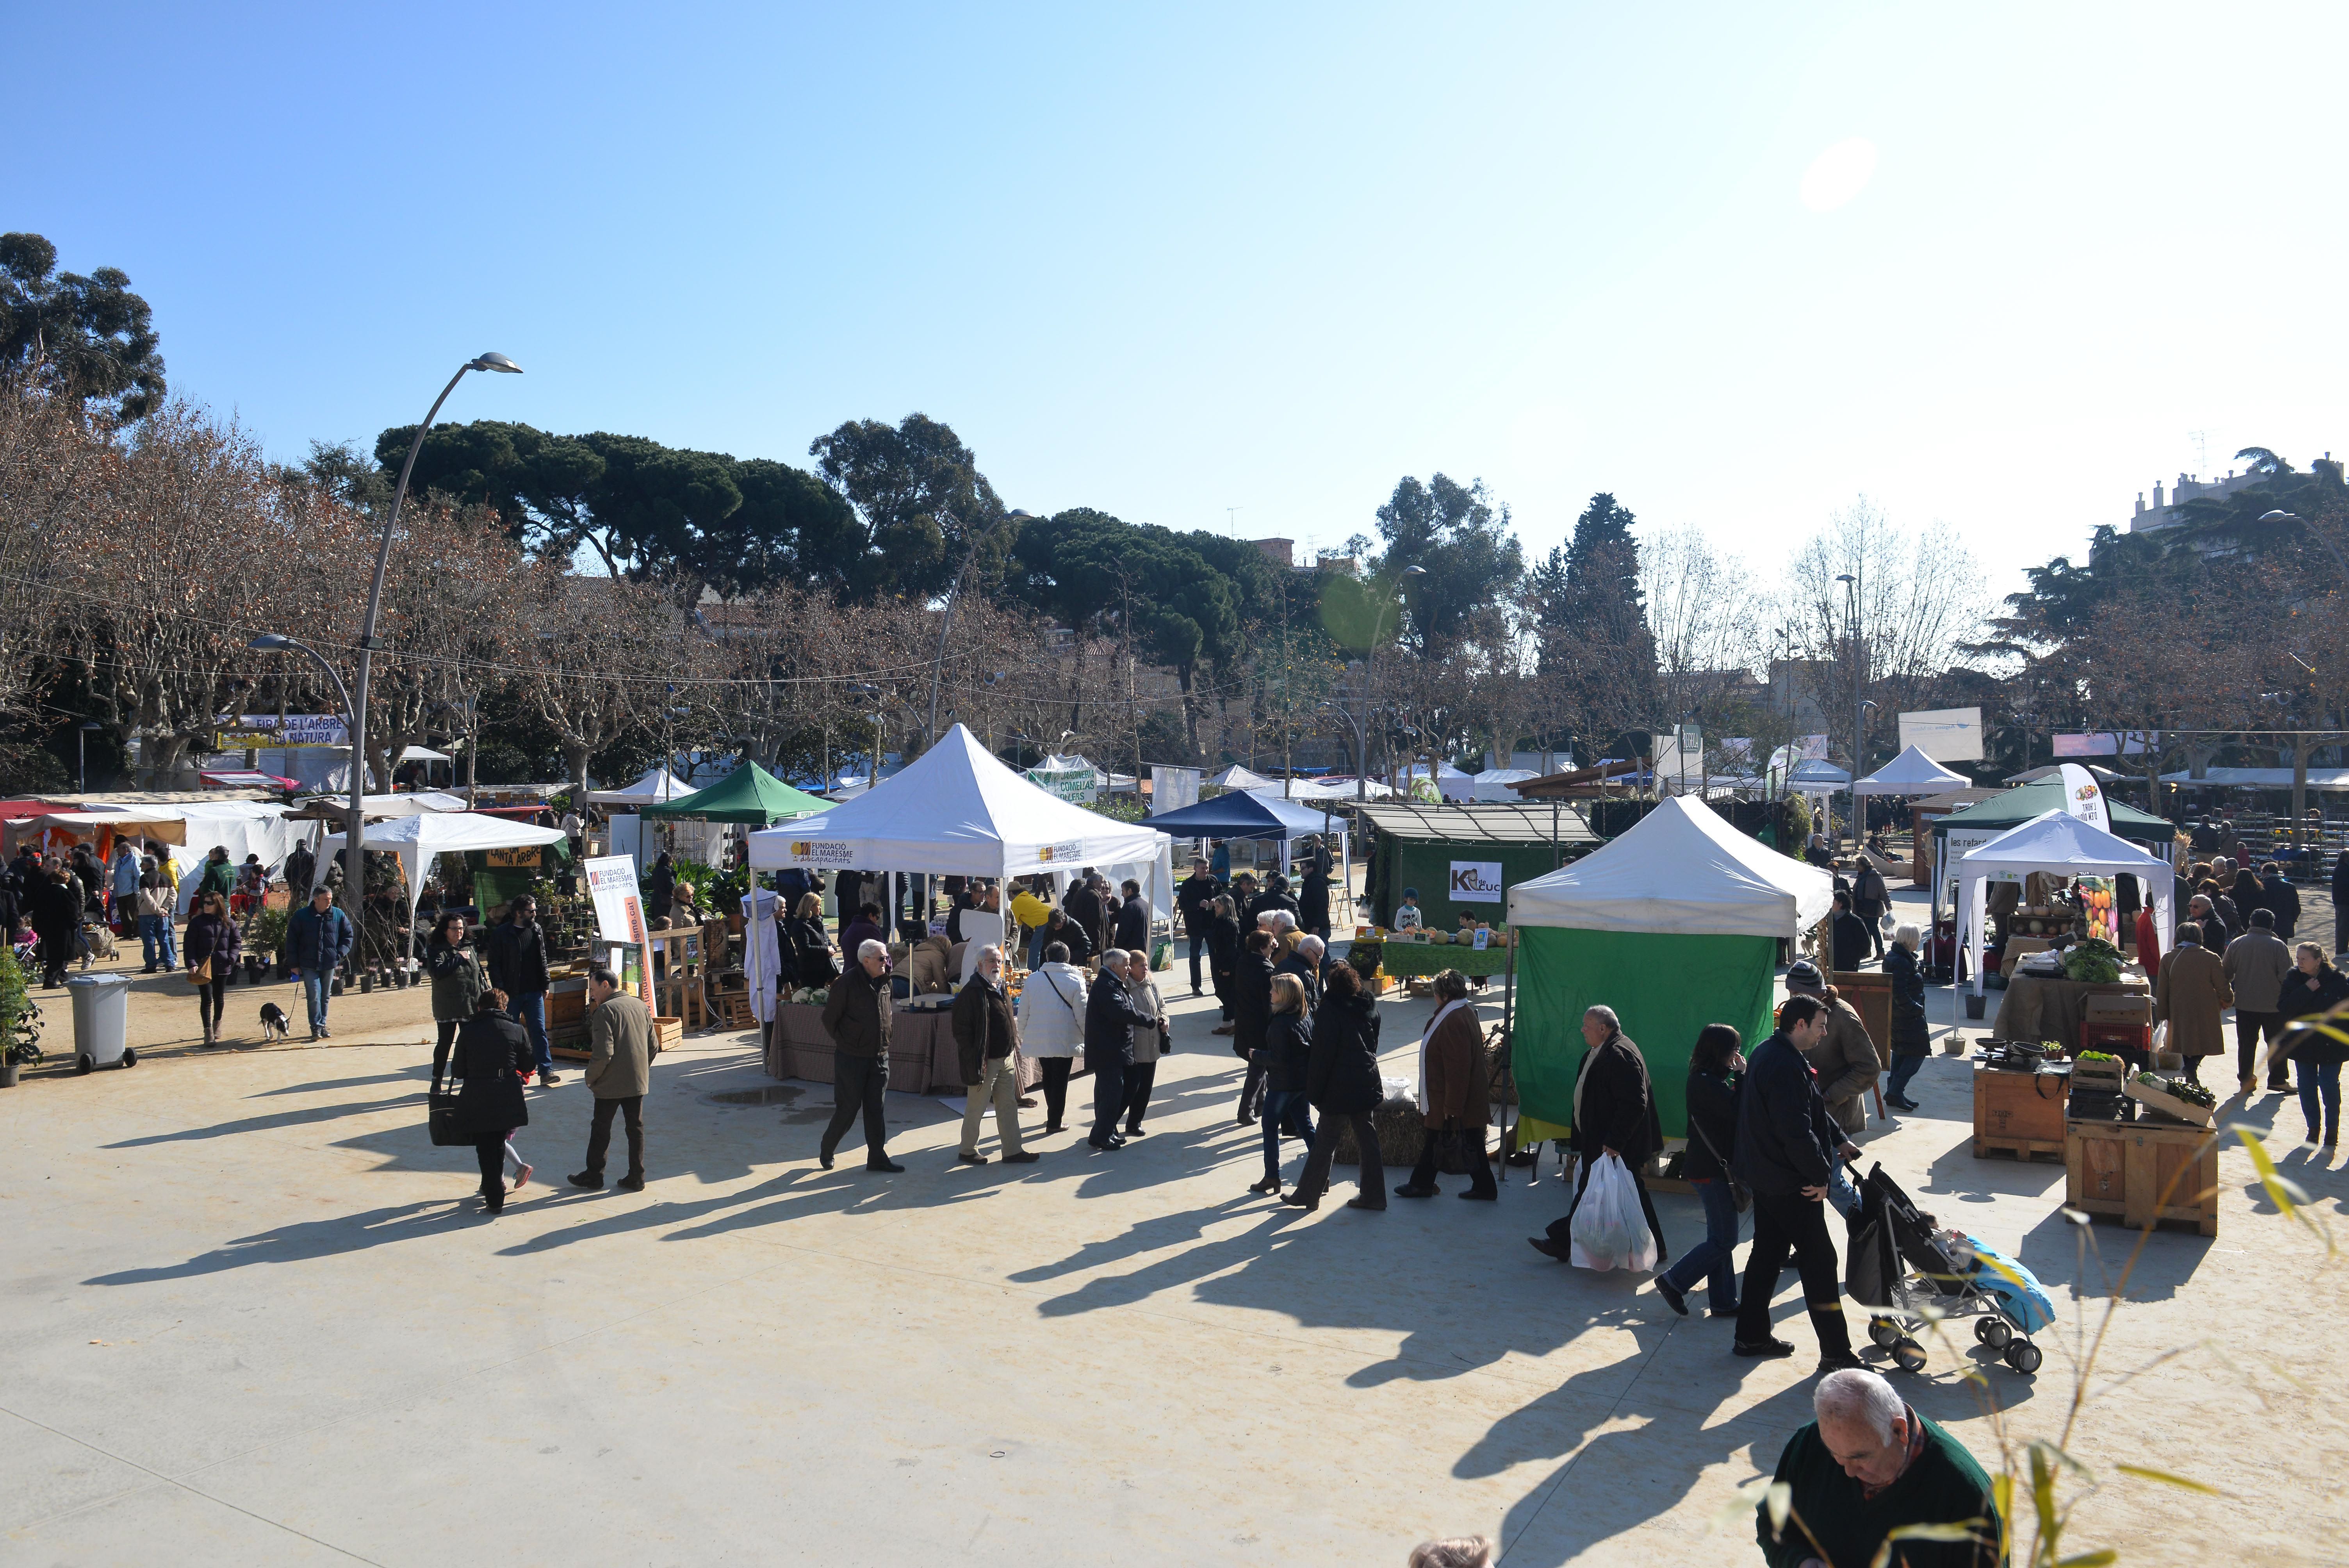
[1676, 926]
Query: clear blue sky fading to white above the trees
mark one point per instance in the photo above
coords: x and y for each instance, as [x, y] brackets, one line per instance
[1183, 259]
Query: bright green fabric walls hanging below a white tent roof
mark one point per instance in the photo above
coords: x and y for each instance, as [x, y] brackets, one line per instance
[1662, 985]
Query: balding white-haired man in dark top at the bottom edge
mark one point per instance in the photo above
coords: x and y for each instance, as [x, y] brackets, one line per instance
[1866, 1468]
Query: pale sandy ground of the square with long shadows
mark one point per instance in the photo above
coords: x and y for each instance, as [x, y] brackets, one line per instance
[255, 1318]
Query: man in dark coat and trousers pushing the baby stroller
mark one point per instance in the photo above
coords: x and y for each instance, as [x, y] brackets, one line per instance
[1786, 1144]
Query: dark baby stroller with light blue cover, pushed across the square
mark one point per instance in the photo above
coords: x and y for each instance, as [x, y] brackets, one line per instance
[1904, 1262]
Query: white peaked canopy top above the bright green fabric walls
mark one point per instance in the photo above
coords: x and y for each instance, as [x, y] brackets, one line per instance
[1681, 870]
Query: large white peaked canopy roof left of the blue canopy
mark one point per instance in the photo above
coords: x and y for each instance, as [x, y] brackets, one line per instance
[957, 811]
